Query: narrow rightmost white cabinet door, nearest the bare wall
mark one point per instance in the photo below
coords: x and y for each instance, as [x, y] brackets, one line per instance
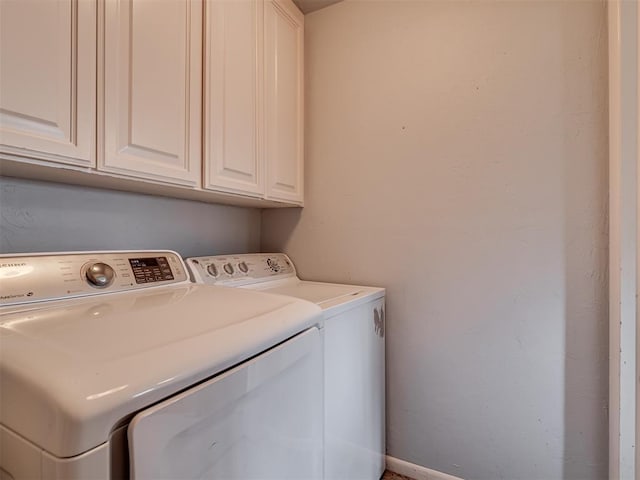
[284, 50]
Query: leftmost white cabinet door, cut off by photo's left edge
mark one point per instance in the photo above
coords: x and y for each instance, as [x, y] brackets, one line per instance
[47, 79]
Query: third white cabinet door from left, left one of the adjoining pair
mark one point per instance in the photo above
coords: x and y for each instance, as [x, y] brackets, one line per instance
[233, 96]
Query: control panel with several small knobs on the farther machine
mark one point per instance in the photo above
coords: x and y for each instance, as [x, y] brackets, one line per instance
[240, 269]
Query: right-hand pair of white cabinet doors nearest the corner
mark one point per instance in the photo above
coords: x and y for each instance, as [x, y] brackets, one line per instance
[254, 98]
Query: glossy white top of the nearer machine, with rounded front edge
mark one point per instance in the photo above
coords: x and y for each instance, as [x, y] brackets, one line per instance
[71, 370]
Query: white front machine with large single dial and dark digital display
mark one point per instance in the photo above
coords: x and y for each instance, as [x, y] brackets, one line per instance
[114, 365]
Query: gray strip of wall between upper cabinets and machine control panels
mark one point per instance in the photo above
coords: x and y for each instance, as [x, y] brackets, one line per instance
[41, 217]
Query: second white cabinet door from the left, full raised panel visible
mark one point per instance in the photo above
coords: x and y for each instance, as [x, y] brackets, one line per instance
[152, 90]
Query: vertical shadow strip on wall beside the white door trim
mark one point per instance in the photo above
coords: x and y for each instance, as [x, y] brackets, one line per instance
[586, 299]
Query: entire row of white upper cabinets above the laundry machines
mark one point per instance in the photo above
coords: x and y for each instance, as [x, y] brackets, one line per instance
[112, 92]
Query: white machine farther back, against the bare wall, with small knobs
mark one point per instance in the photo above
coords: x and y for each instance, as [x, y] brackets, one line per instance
[354, 356]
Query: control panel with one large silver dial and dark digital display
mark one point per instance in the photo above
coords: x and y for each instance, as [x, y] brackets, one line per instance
[39, 277]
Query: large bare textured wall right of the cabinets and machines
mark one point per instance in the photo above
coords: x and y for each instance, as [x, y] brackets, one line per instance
[457, 155]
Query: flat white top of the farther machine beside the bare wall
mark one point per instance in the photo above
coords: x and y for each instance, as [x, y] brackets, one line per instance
[333, 298]
